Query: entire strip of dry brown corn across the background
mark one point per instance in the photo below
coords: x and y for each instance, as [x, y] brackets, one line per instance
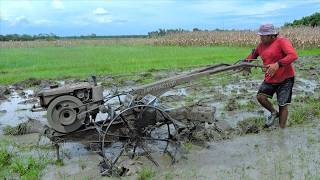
[301, 37]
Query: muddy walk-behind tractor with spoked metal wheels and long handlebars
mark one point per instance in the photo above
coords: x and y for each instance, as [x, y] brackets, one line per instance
[134, 123]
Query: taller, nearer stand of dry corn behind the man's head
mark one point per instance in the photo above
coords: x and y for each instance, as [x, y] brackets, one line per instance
[301, 37]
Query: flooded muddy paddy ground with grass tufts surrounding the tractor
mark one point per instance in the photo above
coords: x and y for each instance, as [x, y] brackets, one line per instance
[236, 146]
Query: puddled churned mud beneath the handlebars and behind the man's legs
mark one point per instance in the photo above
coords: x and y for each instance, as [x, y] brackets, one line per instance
[242, 92]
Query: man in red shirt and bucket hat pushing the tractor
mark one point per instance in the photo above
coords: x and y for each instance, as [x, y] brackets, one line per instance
[278, 56]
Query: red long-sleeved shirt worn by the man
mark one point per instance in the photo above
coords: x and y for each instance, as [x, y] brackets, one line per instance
[280, 50]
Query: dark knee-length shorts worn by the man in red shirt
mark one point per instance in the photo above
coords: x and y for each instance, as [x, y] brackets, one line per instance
[283, 90]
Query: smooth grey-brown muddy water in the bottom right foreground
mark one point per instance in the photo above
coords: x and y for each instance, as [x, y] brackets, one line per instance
[292, 153]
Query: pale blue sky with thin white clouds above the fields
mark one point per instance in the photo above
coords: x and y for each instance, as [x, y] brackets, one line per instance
[138, 17]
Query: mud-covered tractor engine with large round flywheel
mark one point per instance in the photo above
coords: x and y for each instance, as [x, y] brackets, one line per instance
[71, 106]
